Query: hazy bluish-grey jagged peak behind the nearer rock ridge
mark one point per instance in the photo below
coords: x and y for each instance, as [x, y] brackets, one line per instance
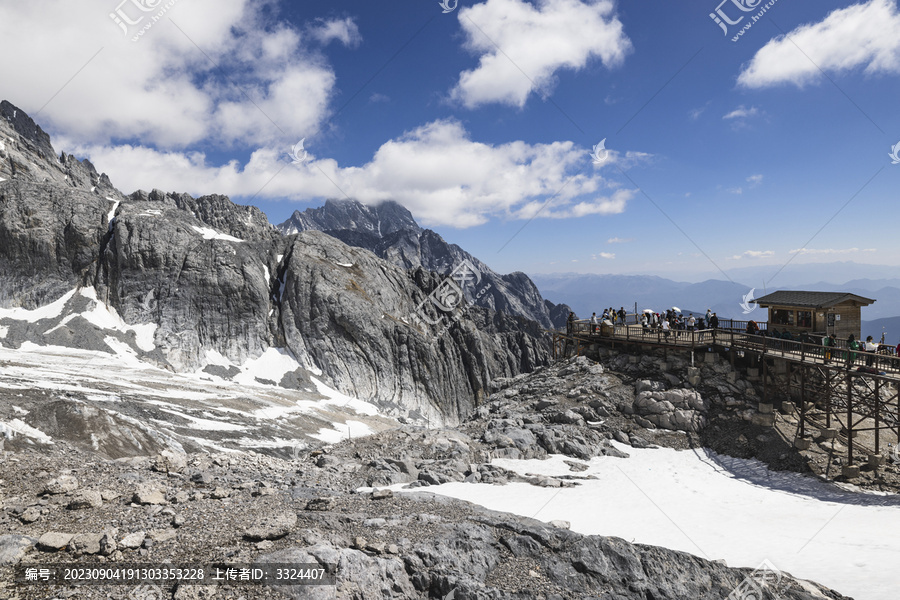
[390, 231]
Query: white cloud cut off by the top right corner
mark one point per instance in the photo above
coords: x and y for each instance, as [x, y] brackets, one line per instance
[862, 35]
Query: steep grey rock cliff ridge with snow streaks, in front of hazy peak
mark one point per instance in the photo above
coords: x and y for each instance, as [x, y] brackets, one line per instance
[201, 284]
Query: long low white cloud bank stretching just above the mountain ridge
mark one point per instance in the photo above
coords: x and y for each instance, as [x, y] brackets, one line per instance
[436, 171]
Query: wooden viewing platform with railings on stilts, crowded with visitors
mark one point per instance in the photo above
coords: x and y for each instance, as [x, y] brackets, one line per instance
[823, 386]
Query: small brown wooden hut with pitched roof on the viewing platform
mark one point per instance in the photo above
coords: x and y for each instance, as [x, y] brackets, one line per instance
[820, 313]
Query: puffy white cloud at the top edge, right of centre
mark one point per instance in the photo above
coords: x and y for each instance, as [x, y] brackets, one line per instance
[522, 45]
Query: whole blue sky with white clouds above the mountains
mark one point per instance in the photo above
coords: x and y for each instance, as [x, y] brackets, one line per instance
[722, 153]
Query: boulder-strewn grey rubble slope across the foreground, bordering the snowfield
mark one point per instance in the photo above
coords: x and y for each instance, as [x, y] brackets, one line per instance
[61, 504]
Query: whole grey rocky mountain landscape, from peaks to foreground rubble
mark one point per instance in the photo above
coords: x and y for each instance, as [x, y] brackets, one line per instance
[166, 397]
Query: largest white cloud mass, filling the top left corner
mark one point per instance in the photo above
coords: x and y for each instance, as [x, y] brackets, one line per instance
[206, 71]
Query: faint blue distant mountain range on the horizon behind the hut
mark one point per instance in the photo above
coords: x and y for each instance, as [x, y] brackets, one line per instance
[589, 293]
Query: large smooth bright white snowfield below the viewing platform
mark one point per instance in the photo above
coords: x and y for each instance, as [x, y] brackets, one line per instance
[717, 507]
